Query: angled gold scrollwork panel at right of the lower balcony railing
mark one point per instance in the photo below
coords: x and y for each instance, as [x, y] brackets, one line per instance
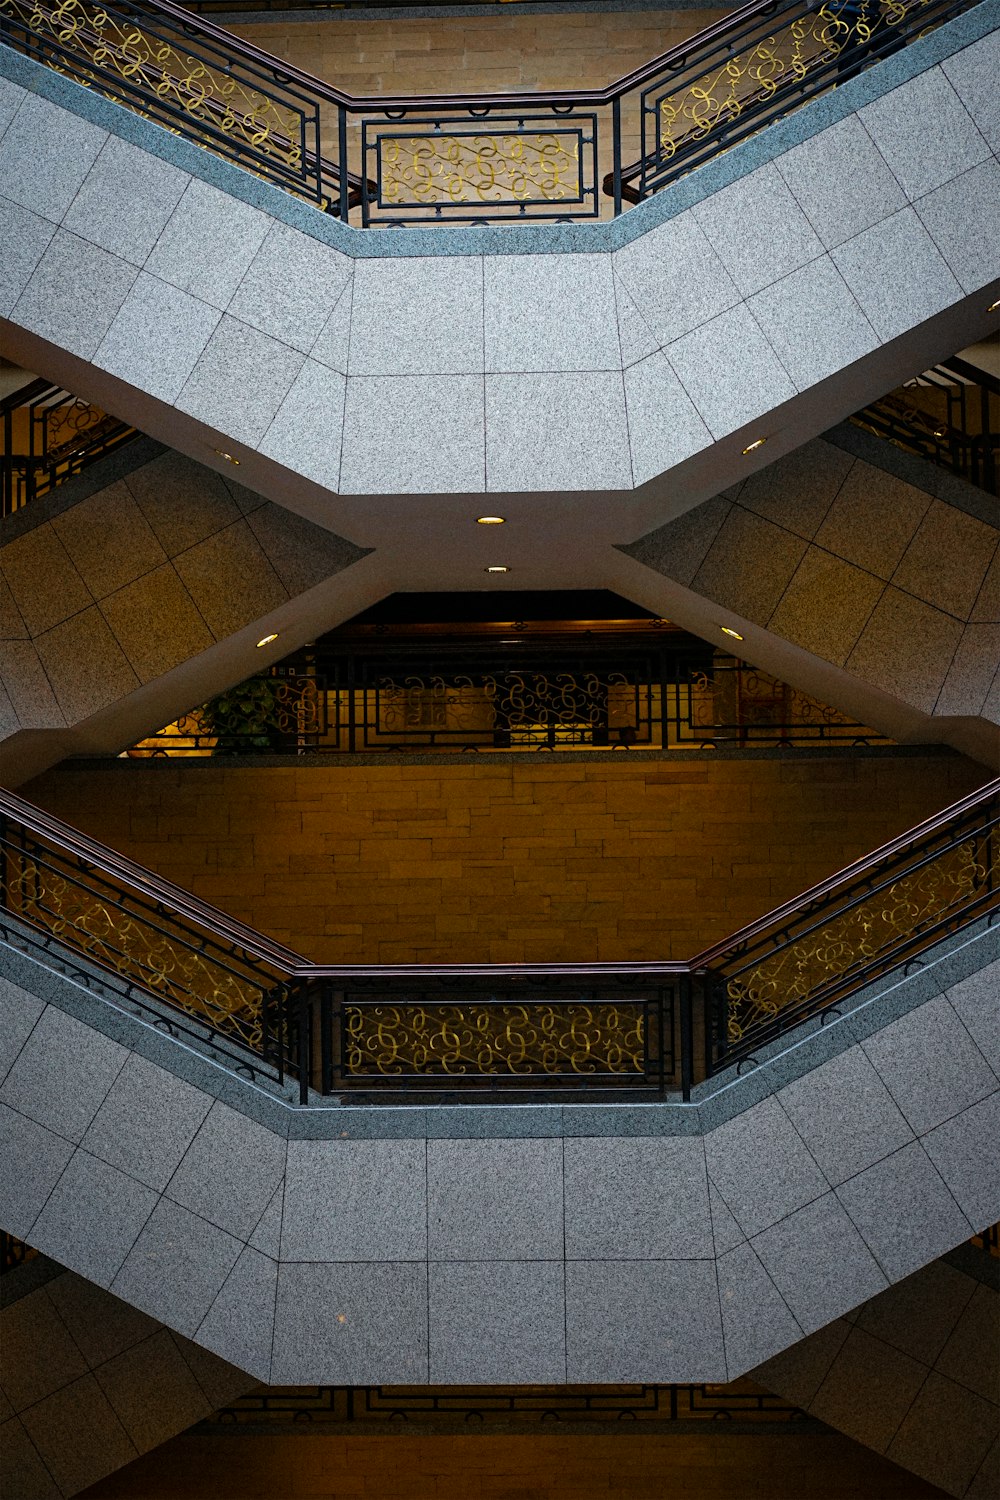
[861, 935]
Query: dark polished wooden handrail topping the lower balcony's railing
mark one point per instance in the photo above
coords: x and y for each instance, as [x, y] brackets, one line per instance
[295, 967]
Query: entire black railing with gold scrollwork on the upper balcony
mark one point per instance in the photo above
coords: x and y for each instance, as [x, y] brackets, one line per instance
[467, 158]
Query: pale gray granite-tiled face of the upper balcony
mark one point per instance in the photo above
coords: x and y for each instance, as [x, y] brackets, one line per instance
[798, 262]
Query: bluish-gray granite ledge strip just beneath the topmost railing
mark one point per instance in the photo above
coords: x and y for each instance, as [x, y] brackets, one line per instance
[615, 233]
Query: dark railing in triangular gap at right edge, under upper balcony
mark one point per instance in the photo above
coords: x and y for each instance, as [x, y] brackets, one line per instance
[951, 416]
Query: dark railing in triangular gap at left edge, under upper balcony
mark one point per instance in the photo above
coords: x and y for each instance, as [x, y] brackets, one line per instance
[47, 437]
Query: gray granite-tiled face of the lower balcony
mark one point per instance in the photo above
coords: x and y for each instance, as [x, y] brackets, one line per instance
[581, 1244]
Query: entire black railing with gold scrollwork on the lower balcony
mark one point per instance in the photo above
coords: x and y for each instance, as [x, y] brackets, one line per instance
[413, 1030]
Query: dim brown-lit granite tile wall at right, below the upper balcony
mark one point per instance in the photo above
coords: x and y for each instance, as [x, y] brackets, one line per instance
[845, 559]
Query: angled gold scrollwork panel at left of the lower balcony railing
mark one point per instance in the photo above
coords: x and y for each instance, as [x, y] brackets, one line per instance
[127, 944]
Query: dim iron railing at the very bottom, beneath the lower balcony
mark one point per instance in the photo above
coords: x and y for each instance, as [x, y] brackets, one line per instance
[479, 1406]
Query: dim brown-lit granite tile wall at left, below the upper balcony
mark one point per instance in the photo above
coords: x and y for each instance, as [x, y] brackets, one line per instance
[76, 628]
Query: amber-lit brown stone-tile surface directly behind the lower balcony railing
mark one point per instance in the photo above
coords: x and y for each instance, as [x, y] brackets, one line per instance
[503, 862]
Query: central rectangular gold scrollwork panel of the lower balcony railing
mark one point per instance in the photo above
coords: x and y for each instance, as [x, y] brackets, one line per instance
[475, 1039]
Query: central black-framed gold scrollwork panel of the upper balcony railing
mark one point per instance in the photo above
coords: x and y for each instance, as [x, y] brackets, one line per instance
[515, 167]
